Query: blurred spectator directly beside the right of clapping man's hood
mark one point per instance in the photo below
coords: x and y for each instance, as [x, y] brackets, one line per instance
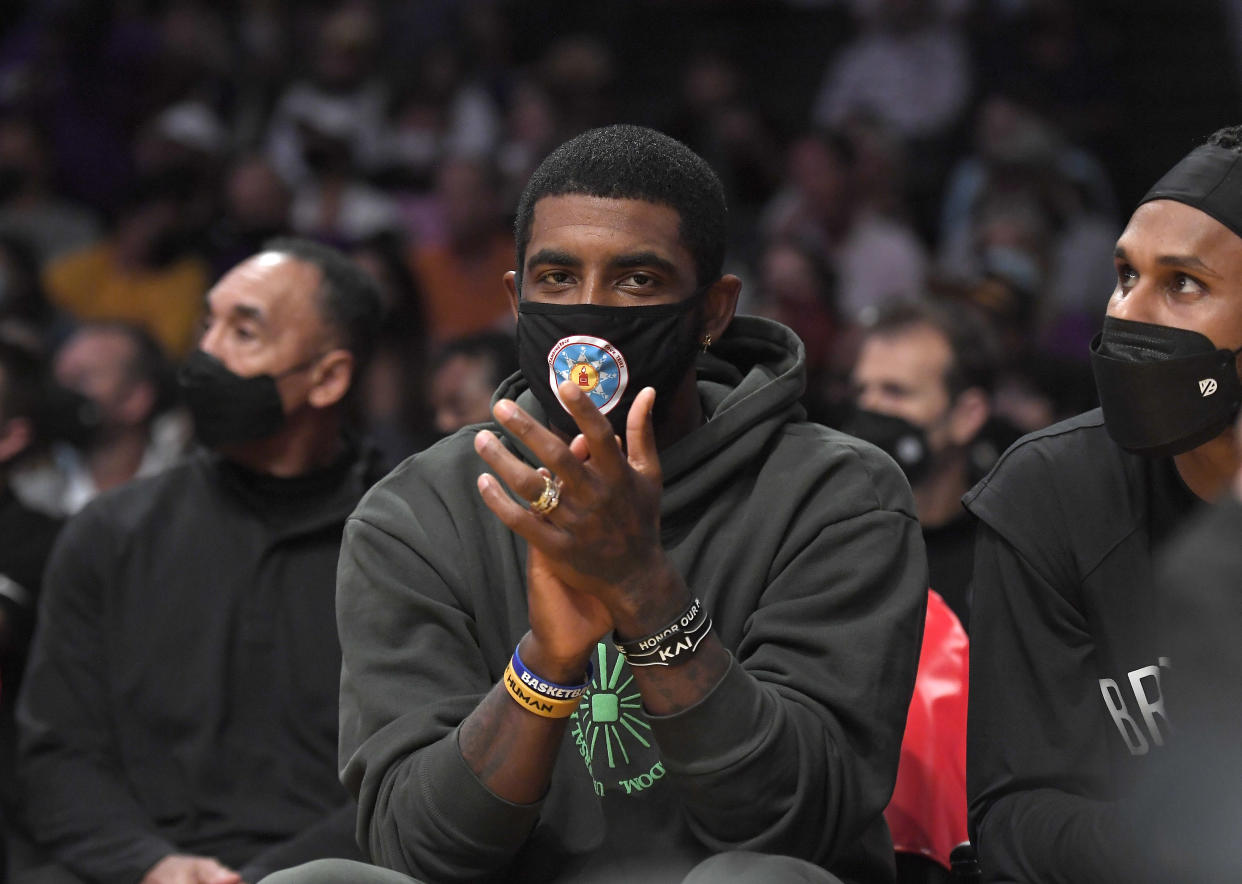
[798, 289]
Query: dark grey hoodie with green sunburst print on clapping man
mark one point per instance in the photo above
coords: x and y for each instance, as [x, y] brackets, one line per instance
[800, 541]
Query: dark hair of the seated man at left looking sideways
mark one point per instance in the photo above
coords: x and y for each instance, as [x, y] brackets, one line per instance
[350, 300]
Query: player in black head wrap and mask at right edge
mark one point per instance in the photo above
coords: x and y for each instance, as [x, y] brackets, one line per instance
[1070, 640]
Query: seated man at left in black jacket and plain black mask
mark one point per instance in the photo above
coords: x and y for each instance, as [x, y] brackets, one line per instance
[179, 719]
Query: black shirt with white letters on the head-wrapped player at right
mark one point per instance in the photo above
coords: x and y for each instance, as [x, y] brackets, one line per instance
[1067, 657]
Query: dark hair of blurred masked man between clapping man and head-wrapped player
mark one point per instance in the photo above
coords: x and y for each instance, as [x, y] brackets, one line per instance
[972, 341]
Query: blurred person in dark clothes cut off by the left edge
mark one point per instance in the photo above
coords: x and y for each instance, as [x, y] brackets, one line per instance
[28, 541]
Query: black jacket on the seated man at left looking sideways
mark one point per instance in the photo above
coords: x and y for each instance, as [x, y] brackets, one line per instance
[182, 695]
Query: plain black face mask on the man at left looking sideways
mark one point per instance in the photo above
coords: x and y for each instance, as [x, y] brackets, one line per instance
[228, 408]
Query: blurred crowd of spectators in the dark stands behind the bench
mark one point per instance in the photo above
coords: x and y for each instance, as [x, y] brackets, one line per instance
[874, 151]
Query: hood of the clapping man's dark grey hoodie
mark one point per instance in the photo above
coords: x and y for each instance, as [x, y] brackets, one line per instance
[751, 384]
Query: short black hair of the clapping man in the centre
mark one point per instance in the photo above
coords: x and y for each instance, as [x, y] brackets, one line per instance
[635, 163]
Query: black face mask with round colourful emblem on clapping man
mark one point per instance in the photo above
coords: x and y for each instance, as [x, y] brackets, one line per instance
[612, 353]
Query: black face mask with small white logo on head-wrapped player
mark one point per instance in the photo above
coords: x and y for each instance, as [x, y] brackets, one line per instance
[1164, 390]
